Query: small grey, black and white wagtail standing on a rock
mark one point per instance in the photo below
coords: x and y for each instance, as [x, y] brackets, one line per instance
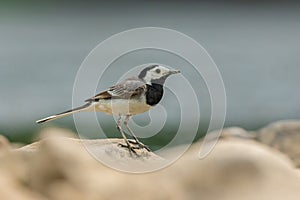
[130, 97]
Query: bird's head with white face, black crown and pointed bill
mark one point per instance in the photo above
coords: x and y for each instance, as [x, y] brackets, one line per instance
[156, 74]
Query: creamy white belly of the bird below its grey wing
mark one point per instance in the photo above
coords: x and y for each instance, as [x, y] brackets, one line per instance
[122, 106]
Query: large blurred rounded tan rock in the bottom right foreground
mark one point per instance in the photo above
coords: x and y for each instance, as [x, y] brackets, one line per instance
[237, 169]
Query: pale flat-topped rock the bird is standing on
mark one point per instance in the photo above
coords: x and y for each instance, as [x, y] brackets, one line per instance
[107, 150]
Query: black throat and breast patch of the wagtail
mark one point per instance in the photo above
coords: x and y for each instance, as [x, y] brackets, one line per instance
[154, 94]
